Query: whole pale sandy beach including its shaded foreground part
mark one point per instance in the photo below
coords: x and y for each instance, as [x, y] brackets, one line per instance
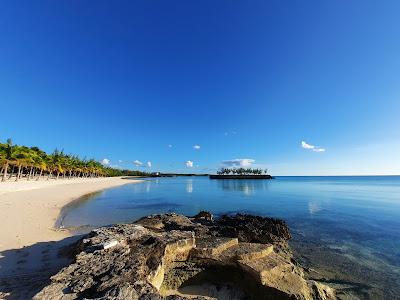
[29, 242]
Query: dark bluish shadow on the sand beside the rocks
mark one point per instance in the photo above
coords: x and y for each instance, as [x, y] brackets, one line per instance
[25, 271]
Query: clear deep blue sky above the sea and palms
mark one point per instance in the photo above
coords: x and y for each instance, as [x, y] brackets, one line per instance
[146, 81]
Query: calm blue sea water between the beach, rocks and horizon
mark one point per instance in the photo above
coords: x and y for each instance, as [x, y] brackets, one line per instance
[345, 225]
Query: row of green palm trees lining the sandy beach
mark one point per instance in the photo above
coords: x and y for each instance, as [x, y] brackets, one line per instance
[32, 163]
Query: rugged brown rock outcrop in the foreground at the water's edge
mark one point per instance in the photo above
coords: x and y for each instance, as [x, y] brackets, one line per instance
[174, 257]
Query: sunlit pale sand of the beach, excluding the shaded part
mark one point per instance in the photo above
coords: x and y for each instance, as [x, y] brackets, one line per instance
[29, 210]
